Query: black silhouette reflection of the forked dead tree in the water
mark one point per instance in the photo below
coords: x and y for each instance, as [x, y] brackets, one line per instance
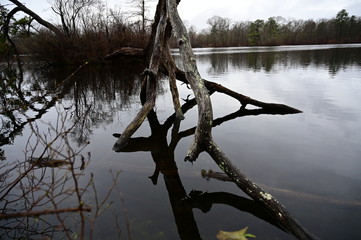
[163, 155]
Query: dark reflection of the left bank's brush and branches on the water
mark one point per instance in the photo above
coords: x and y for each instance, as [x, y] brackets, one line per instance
[96, 93]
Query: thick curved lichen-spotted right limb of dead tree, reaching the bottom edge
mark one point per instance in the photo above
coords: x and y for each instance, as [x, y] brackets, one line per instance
[203, 140]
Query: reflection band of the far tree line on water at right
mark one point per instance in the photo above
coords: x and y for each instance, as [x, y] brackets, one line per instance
[335, 59]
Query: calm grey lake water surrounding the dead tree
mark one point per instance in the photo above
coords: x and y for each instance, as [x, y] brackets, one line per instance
[310, 161]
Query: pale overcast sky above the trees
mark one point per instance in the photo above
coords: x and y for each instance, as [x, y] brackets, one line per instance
[196, 12]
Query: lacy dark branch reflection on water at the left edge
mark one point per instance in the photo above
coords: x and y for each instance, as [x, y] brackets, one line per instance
[23, 100]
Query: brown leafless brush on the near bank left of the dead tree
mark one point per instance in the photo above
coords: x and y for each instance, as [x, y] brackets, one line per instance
[88, 31]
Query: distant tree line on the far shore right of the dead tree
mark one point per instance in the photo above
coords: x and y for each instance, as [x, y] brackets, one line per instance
[278, 31]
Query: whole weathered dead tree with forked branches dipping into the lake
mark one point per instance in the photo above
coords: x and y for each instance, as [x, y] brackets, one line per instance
[167, 19]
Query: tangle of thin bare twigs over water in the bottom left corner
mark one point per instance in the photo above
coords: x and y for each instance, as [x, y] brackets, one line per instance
[42, 195]
